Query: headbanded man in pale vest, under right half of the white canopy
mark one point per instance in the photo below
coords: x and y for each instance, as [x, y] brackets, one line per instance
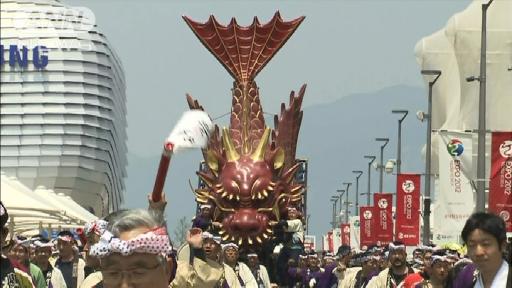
[71, 266]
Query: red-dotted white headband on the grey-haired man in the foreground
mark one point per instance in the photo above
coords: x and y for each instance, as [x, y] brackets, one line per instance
[155, 241]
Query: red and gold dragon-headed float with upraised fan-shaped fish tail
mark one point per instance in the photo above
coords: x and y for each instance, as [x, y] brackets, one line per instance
[250, 179]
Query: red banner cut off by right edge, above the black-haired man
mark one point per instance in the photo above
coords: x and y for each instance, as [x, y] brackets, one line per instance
[500, 185]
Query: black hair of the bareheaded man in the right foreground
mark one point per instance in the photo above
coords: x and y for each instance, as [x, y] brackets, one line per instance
[487, 222]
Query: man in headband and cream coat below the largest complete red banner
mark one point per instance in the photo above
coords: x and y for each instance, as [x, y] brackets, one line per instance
[393, 276]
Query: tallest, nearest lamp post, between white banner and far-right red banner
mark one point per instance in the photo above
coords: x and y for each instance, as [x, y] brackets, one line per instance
[480, 164]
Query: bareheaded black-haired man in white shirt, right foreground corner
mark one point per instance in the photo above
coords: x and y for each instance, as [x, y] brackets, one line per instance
[485, 237]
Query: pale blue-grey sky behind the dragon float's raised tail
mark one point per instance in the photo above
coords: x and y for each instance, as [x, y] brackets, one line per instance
[342, 48]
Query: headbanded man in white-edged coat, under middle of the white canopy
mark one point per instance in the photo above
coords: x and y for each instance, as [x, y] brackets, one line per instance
[43, 252]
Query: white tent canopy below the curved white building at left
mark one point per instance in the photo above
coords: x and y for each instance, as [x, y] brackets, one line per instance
[30, 210]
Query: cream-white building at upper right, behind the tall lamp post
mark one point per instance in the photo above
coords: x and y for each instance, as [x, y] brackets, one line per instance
[455, 50]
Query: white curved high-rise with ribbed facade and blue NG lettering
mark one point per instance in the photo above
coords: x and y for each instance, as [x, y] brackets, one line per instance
[63, 103]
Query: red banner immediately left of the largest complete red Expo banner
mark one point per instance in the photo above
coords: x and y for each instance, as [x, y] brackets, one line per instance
[383, 224]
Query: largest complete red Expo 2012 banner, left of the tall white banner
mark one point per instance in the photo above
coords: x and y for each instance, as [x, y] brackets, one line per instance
[407, 228]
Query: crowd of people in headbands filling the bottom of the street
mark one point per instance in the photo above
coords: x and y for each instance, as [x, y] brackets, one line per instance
[131, 248]
